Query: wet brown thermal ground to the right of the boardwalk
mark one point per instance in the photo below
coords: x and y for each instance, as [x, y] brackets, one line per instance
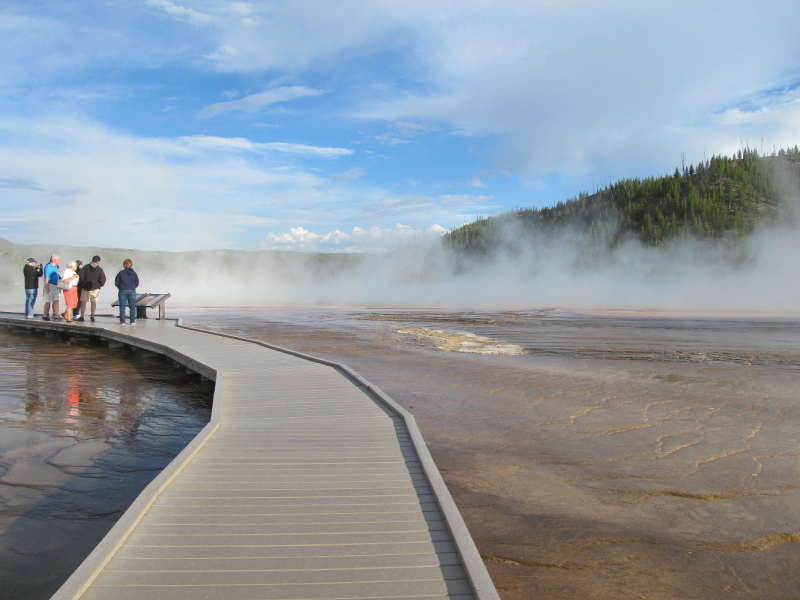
[619, 457]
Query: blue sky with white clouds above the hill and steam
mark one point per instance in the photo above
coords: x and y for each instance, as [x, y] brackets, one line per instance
[356, 125]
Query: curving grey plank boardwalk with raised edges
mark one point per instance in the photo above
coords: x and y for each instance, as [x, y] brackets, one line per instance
[308, 483]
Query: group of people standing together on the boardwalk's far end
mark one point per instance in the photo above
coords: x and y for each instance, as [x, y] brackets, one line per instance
[80, 285]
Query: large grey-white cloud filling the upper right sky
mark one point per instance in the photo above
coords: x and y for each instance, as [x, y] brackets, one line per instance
[566, 86]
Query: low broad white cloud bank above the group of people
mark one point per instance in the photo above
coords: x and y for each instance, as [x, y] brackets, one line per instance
[187, 192]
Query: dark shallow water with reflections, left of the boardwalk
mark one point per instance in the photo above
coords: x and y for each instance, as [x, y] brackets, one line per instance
[82, 430]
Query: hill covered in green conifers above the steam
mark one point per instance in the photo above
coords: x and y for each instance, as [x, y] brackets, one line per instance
[717, 197]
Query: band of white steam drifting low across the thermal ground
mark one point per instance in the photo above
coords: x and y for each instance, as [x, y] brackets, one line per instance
[760, 272]
